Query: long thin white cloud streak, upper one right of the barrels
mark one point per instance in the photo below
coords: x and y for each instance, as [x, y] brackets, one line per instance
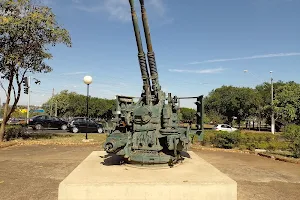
[247, 58]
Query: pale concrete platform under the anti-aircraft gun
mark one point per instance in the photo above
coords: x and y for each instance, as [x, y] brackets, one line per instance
[99, 178]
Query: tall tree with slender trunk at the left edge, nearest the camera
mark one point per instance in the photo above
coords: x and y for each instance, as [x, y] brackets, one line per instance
[26, 30]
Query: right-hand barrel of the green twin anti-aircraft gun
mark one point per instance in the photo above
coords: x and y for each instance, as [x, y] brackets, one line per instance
[150, 53]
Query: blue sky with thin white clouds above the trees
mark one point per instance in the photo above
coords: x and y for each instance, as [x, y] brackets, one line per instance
[199, 45]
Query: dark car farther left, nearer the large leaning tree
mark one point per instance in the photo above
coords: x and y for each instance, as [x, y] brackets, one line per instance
[46, 121]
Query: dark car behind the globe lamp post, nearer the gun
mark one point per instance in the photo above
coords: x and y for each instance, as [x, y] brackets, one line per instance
[82, 124]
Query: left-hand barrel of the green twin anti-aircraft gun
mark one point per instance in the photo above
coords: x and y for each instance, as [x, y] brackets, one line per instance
[141, 54]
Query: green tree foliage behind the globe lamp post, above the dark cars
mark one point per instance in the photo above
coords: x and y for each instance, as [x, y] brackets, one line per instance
[70, 104]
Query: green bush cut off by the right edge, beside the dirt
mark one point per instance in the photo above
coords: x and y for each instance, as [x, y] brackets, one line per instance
[292, 134]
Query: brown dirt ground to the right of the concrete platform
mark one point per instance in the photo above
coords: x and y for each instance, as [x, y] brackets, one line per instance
[258, 178]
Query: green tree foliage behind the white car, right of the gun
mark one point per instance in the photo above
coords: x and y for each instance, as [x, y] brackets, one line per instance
[227, 101]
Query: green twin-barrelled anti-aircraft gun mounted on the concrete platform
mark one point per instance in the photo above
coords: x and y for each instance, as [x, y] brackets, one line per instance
[147, 131]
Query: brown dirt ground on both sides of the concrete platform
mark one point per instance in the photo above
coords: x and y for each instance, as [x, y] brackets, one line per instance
[34, 172]
